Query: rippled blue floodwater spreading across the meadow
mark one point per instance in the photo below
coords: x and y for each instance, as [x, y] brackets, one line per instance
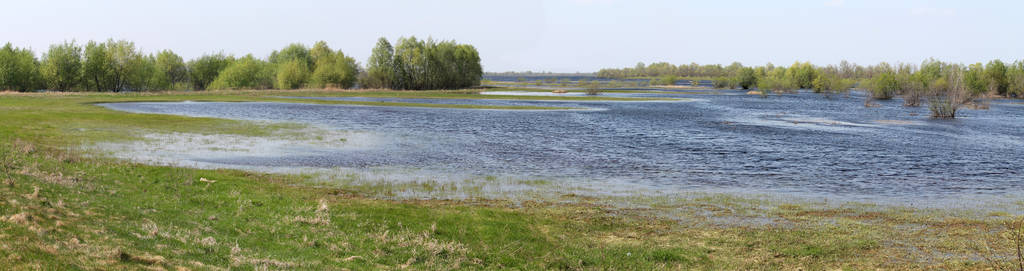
[797, 145]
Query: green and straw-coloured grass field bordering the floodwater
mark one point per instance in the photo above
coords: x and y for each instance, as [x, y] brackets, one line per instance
[61, 210]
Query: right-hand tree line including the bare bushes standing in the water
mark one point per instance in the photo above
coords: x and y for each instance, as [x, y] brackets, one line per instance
[945, 86]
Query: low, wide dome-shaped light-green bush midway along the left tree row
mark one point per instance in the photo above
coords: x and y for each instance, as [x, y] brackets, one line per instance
[246, 73]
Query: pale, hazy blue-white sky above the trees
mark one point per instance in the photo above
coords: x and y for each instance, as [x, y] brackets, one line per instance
[562, 36]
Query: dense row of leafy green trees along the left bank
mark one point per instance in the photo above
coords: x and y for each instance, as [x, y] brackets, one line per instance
[120, 66]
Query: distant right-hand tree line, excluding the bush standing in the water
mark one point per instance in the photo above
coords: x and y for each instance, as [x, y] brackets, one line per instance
[996, 77]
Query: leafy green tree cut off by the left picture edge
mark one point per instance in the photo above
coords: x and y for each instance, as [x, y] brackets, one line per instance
[19, 70]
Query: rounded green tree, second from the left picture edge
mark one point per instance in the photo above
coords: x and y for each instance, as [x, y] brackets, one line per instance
[62, 66]
